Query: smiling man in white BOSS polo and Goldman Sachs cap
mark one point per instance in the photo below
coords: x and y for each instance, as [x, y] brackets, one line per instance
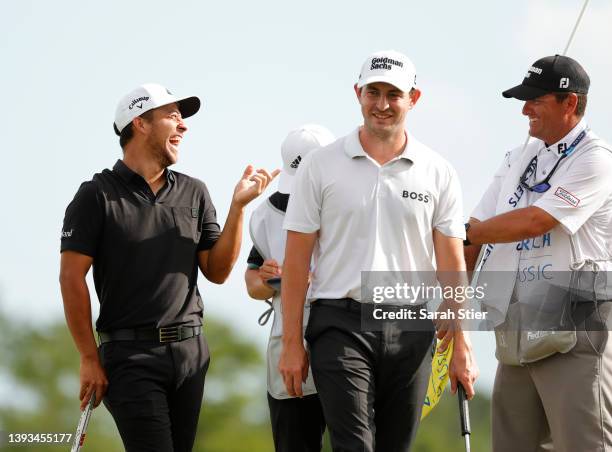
[375, 200]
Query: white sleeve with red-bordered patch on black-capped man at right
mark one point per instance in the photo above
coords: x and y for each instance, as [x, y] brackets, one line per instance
[576, 195]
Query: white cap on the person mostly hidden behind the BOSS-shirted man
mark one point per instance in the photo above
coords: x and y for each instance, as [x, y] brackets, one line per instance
[296, 146]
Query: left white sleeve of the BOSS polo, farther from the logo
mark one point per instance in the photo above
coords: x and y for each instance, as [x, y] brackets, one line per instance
[304, 208]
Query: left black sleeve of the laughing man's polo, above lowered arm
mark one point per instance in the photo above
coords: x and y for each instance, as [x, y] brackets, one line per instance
[83, 221]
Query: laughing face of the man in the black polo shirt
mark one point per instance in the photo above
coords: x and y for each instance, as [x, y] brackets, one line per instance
[164, 132]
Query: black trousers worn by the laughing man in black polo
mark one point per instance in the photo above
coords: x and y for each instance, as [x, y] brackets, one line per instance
[155, 392]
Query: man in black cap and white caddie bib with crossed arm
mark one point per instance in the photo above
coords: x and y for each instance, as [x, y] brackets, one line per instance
[547, 214]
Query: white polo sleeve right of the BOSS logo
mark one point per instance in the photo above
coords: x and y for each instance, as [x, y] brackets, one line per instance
[448, 217]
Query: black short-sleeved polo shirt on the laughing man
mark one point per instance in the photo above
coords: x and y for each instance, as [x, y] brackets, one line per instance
[144, 246]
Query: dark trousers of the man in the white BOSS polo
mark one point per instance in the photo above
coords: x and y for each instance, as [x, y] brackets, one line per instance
[371, 384]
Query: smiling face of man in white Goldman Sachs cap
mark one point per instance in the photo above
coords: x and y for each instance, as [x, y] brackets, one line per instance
[384, 108]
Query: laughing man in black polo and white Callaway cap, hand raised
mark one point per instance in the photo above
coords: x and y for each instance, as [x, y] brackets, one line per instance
[146, 230]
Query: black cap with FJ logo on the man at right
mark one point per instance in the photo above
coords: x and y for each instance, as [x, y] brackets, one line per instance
[552, 74]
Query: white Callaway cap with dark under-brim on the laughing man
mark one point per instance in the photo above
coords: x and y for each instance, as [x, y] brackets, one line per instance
[147, 97]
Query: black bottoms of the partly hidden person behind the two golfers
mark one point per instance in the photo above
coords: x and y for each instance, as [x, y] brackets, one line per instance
[297, 423]
